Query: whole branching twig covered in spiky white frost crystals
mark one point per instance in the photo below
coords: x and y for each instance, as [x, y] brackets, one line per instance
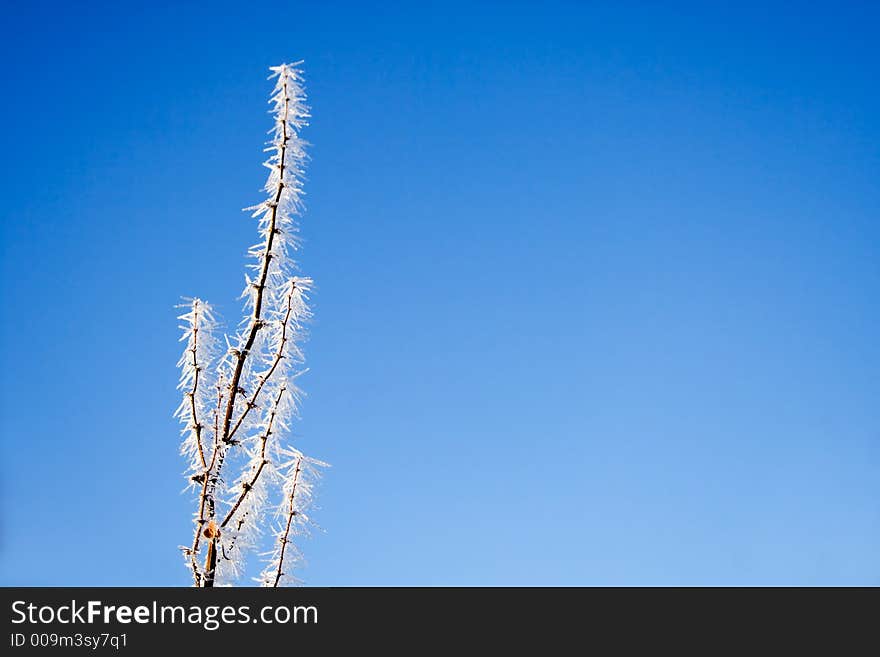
[237, 409]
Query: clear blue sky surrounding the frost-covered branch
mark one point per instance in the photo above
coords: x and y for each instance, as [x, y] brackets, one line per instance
[597, 284]
